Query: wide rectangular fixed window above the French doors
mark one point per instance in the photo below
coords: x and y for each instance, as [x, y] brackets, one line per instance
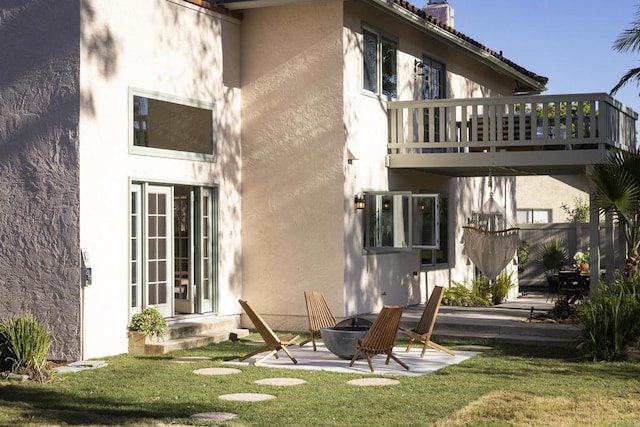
[170, 127]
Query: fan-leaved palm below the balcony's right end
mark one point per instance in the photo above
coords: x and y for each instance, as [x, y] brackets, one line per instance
[616, 189]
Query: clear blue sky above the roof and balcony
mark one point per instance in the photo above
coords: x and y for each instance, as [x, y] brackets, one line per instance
[568, 41]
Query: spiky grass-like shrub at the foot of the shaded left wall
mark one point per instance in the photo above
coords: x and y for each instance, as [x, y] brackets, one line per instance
[24, 345]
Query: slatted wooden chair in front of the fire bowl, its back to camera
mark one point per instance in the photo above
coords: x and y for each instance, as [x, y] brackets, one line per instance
[381, 337]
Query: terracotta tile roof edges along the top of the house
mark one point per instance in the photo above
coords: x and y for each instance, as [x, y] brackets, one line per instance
[528, 81]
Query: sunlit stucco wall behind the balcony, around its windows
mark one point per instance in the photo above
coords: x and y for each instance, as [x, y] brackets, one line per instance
[373, 280]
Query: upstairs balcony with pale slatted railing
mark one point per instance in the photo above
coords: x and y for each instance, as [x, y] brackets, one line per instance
[518, 135]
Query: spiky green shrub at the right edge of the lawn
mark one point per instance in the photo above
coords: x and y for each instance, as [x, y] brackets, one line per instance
[611, 321]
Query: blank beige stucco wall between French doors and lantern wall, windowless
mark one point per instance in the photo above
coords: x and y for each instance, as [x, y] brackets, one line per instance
[293, 142]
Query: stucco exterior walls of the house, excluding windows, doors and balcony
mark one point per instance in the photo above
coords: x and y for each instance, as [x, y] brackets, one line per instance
[296, 139]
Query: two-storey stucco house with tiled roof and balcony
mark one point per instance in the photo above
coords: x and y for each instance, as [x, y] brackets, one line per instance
[185, 154]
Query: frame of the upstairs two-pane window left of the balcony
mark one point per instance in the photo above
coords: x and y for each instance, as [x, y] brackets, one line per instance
[383, 40]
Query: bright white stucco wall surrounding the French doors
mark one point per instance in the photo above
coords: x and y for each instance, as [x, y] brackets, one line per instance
[175, 49]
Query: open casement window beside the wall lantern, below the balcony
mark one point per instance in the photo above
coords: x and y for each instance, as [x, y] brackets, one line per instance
[399, 221]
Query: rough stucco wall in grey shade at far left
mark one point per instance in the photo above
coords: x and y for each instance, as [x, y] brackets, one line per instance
[39, 175]
